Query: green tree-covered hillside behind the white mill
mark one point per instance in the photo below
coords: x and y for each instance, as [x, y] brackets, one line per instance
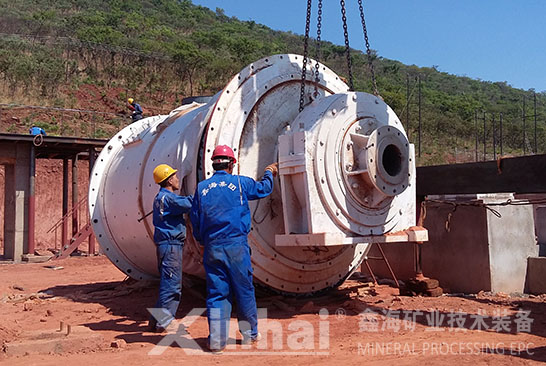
[92, 54]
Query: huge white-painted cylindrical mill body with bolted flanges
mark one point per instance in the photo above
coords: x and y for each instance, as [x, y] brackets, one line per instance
[346, 175]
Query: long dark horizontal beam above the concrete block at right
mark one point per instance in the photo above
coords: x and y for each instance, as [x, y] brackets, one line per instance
[525, 174]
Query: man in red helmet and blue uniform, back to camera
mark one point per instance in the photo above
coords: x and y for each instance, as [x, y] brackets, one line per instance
[220, 219]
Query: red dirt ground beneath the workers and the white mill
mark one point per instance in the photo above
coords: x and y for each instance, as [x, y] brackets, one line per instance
[84, 293]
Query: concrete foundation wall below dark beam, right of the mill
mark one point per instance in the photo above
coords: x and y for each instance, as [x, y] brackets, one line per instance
[469, 249]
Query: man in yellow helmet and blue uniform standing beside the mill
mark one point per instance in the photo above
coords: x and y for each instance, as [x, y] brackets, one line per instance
[169, 236]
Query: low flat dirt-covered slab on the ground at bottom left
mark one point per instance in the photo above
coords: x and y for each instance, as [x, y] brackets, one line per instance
[54, 341]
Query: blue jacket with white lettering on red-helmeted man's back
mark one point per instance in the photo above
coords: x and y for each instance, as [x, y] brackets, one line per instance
[220, 205]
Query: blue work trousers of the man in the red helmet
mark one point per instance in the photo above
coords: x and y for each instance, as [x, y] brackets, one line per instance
[229, 277]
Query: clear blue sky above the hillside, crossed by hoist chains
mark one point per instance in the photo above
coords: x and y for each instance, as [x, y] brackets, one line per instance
[494, 40]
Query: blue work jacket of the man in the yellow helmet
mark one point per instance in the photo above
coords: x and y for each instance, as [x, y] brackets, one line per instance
[169, 208]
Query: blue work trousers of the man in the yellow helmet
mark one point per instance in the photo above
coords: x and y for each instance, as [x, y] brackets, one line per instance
[169, 260]
